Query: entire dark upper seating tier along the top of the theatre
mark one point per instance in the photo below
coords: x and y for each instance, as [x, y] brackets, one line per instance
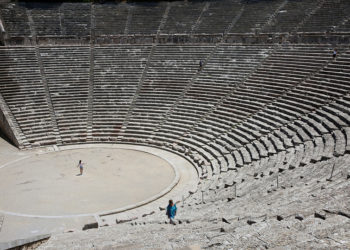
[67, 20]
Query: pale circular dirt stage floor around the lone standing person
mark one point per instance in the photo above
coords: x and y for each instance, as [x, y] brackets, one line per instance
[50, 184]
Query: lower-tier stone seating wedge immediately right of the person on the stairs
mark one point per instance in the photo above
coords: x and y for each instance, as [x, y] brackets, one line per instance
[223, 72]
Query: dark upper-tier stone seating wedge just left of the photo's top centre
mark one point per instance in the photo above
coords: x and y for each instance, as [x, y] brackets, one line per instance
[146, 17]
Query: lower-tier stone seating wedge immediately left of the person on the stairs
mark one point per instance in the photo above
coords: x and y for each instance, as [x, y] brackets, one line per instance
[171, 68]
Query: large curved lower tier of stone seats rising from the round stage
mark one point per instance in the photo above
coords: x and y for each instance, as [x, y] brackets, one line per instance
[245, 104]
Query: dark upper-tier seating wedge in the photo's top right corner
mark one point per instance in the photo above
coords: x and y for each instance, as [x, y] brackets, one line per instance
[328, 17]
